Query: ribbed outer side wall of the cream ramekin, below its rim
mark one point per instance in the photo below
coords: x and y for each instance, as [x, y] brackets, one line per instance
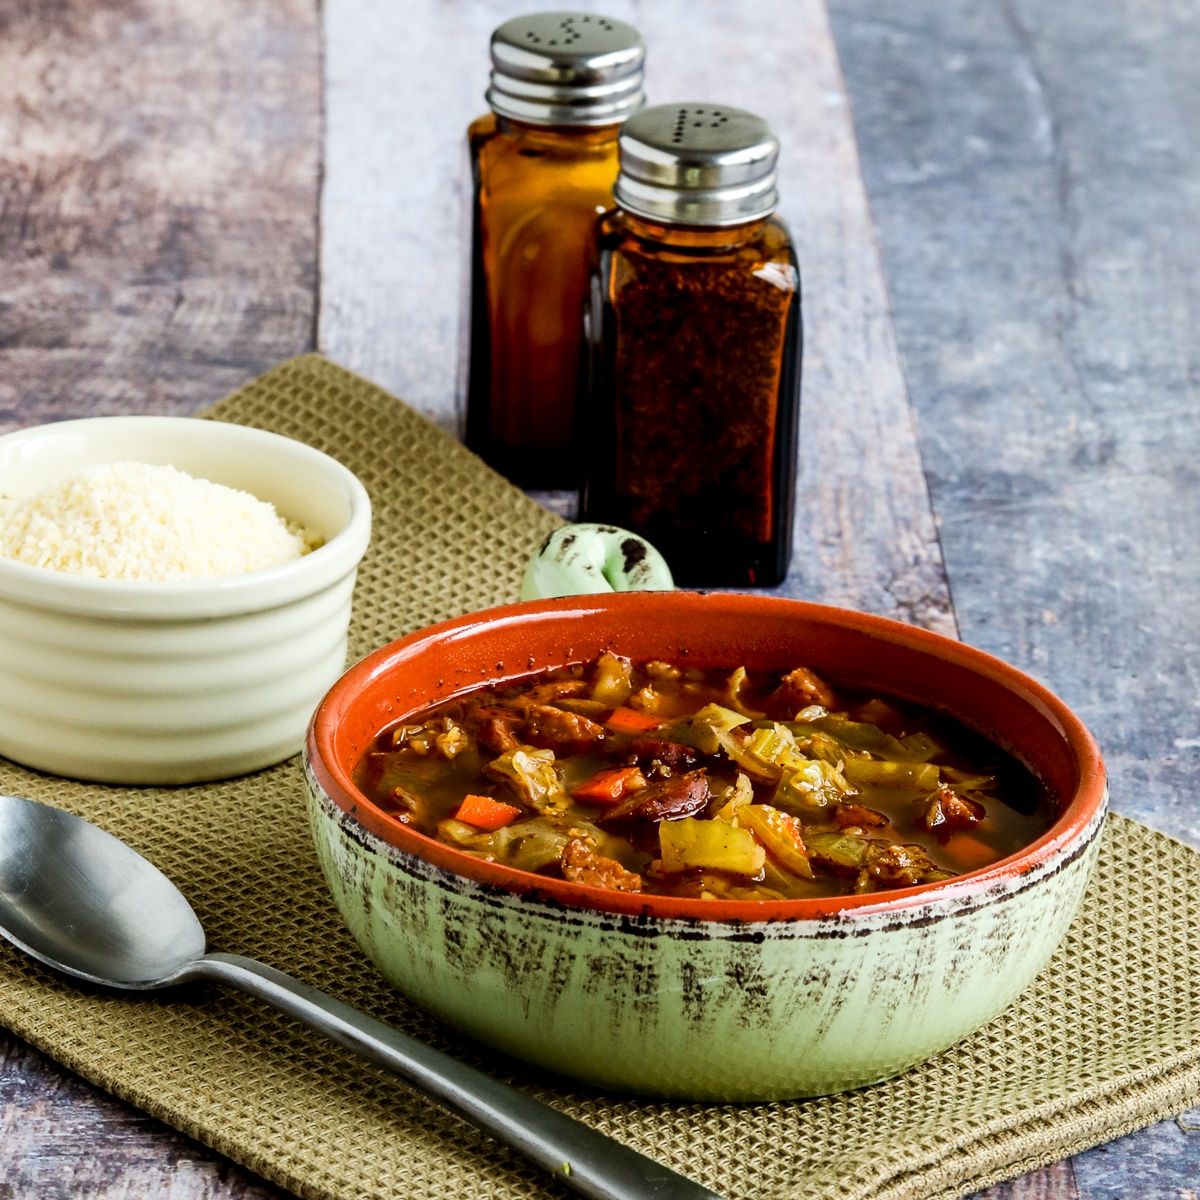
[155, 701]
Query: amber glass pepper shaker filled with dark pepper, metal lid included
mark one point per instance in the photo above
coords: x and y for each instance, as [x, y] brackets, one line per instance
[694, 331]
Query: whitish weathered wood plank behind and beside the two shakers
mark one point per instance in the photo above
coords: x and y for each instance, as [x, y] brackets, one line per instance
[393, 230]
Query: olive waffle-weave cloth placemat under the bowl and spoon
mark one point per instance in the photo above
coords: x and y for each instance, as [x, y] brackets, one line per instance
[1105, 1042]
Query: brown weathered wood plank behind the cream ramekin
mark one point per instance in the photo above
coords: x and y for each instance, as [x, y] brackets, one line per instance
[159, 170]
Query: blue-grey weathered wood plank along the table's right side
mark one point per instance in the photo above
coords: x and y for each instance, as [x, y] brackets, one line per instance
[1035, 171]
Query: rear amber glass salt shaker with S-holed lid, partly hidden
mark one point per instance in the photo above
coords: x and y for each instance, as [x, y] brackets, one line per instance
[543, 163]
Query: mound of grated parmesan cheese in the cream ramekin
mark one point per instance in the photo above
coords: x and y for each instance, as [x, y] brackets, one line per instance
[136, 521]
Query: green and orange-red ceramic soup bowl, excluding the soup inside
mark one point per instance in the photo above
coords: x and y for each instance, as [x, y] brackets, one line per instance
[704, 1000]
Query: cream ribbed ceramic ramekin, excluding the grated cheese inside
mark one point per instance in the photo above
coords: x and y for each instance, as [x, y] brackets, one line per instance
[129, 682]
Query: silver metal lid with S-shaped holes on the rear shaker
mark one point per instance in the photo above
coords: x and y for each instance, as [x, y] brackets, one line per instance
[567, 69]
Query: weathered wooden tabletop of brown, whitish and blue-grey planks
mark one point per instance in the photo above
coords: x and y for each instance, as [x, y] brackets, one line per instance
[1000, 433]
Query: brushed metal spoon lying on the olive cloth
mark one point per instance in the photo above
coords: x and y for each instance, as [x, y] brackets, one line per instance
[82, 902]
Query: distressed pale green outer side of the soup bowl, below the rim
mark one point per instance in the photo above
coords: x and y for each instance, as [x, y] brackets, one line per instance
[691, 1010]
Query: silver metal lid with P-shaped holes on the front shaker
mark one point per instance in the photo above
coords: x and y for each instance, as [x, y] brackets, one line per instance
[703, 165]
